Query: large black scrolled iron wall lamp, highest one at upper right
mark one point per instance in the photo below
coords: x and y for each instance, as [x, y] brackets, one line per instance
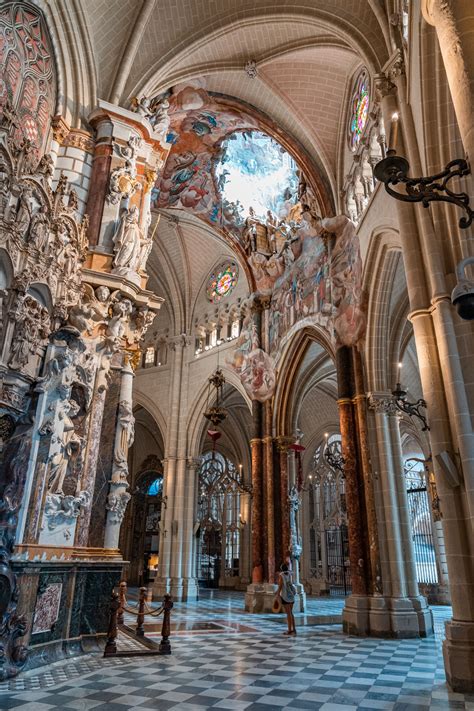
[393, 170]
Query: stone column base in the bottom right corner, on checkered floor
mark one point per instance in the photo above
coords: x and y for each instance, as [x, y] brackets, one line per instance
[458, 653]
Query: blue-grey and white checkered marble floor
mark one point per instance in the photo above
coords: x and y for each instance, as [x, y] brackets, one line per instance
[321, 668]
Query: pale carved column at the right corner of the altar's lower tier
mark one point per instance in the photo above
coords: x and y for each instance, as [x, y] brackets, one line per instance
[118, 496]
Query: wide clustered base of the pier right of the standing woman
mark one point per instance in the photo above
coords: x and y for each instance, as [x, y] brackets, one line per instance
[398, 618]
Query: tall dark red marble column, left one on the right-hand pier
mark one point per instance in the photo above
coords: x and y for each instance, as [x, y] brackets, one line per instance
[354, 486]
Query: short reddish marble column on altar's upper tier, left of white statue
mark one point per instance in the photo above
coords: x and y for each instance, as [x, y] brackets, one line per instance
[98, 187]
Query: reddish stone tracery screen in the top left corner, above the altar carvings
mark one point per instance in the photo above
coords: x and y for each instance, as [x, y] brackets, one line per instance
[27, 72]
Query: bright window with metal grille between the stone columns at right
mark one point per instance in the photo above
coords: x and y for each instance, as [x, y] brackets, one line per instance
[421, 523]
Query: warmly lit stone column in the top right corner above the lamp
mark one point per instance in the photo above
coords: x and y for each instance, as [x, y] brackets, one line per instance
[454, 24]
